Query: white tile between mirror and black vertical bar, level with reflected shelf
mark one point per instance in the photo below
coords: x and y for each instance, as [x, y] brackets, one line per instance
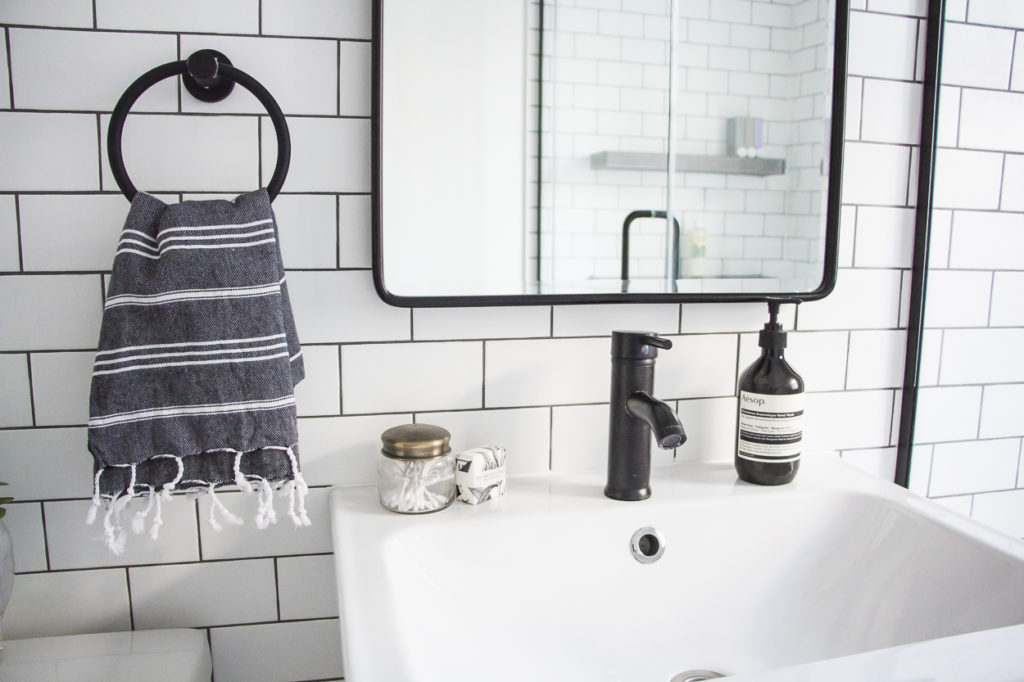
[876, 175]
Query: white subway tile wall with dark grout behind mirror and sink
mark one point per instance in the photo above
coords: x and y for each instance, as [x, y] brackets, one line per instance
[534, 379]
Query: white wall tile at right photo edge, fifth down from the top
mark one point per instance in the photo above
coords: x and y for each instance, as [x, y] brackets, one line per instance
[987, 241]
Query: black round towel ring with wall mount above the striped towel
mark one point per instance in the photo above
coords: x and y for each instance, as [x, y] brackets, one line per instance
[209, 76]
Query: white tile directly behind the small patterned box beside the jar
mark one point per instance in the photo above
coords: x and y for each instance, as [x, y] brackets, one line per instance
[524, 434]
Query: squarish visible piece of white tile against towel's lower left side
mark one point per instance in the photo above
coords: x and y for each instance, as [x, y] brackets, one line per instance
[61, 386]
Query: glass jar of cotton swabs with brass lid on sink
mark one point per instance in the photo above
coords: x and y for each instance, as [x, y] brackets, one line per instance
[416, 473]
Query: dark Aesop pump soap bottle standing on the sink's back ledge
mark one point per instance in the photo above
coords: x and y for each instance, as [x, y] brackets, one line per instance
[771, 415]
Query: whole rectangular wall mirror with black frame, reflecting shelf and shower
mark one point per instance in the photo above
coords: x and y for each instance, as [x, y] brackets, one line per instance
[539, 152]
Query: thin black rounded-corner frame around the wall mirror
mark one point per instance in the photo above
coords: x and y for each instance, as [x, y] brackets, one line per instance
[841, 46]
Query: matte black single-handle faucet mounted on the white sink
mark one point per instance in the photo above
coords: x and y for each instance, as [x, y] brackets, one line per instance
[635, 414]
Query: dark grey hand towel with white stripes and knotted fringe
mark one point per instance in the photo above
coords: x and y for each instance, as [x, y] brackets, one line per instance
[194, 383]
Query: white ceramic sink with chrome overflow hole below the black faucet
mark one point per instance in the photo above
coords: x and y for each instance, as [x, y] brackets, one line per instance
[543, 583]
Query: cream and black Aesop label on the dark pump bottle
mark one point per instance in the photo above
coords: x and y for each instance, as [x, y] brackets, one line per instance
[772, 428]
